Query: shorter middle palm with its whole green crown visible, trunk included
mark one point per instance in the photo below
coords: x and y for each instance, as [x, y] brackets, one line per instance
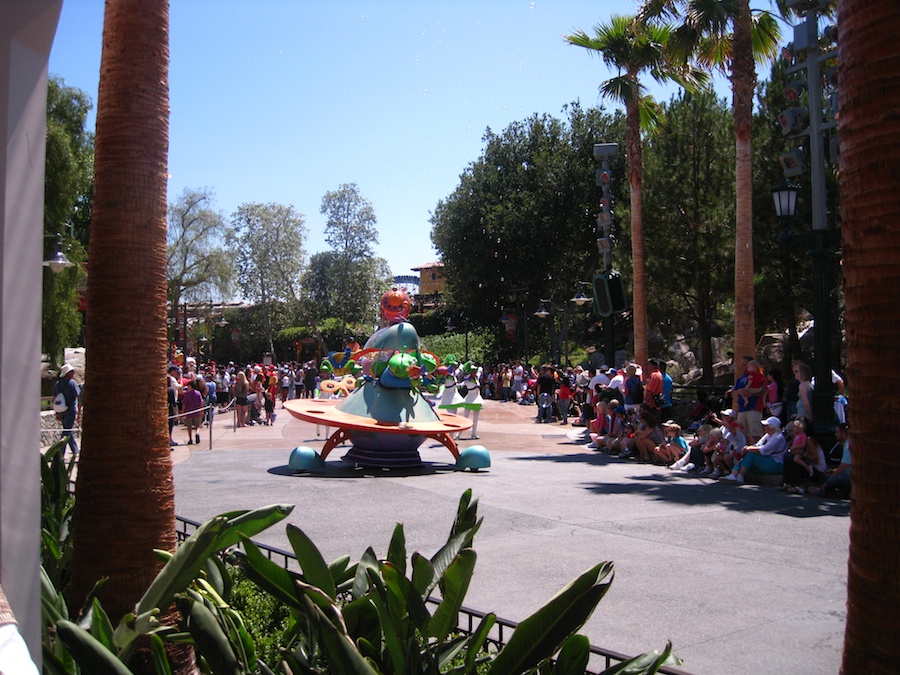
[634, 48]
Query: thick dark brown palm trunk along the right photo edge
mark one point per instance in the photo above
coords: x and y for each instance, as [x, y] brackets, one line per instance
[870, 152]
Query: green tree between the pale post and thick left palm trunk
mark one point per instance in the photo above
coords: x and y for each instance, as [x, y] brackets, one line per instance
[68, 183]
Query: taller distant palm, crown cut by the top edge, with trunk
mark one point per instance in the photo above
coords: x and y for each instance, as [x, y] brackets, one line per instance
[728, 36]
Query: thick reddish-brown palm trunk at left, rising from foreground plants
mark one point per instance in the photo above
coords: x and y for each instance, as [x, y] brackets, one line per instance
[124, 489]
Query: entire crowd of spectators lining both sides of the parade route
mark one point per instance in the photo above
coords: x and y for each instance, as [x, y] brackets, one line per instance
[767, 429]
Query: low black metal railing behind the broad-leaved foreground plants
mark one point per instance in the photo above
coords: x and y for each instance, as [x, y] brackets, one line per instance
[467, 621]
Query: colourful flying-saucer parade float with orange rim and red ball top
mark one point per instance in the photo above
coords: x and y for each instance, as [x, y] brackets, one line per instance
[384, 414]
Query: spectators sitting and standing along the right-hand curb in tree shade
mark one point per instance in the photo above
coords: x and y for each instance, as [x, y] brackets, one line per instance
[763, 432]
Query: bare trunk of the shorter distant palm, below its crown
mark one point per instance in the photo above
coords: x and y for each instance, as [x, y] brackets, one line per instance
[635, 179]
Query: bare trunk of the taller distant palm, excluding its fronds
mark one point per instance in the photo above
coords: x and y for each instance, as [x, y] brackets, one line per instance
[743, 80]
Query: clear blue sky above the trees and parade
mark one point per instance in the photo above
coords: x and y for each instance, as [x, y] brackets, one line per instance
[283, 100]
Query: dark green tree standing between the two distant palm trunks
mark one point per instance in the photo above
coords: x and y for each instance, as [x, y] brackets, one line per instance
[690, 208]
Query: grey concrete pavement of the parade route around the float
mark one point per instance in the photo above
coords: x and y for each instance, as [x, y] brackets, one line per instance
[741, 579]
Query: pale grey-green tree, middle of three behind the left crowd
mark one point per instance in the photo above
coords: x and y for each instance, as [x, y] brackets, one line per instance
[266, 242]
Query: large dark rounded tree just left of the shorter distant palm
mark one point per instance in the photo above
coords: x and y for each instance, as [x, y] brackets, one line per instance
[520, 224]
